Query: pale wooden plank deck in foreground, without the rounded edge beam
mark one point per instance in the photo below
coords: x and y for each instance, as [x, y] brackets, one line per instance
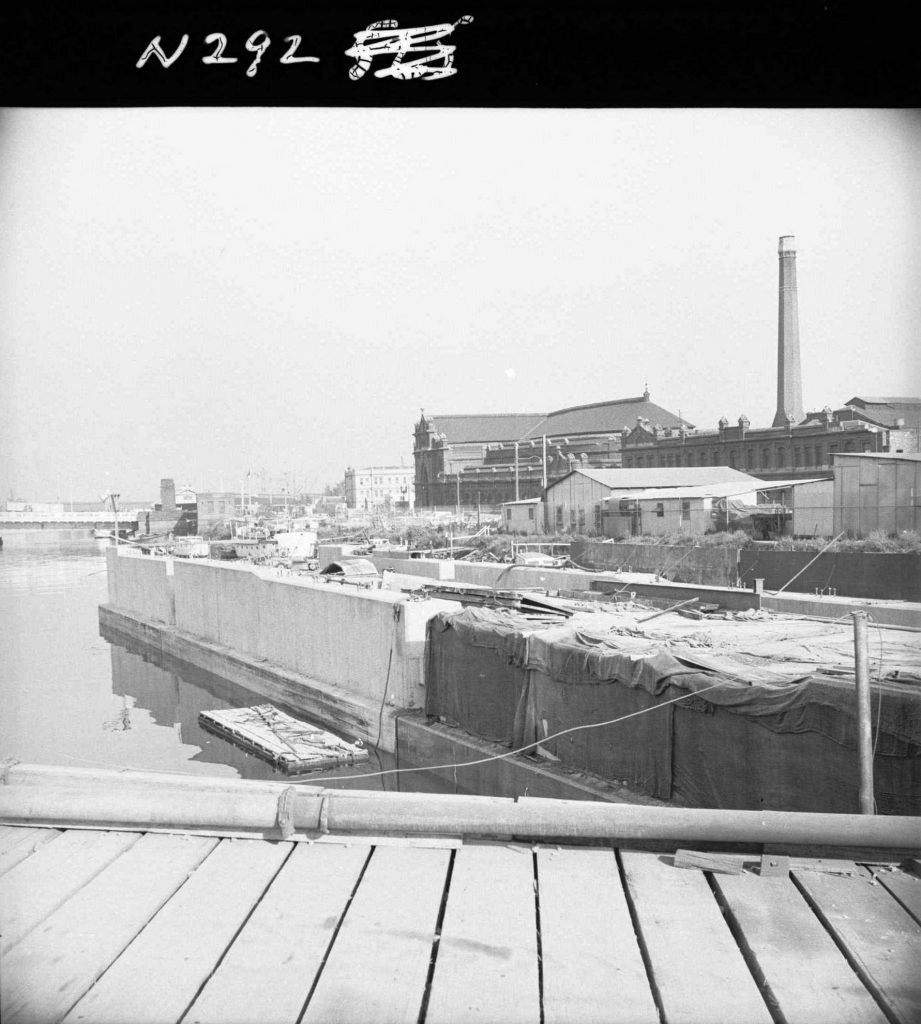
[137, 926]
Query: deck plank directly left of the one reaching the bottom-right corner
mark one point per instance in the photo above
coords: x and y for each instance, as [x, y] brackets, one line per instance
[808, 976]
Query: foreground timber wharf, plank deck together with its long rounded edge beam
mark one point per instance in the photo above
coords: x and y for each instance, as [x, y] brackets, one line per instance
[279, 909]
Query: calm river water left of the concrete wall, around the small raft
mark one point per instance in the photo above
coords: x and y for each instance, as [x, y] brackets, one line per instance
[72, 698]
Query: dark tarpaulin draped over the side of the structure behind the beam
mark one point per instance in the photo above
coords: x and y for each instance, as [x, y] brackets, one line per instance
[726, 744]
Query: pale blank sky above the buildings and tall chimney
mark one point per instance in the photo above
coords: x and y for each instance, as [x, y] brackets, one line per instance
[201, 292]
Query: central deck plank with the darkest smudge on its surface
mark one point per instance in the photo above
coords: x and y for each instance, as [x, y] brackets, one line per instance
[487, 968]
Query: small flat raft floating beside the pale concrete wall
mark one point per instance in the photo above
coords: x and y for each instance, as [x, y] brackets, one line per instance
[288, 744]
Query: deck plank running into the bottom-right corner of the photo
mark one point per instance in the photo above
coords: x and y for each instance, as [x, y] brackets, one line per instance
[880, 936]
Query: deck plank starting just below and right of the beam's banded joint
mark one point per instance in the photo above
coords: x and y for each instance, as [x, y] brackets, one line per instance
[271, 967]
